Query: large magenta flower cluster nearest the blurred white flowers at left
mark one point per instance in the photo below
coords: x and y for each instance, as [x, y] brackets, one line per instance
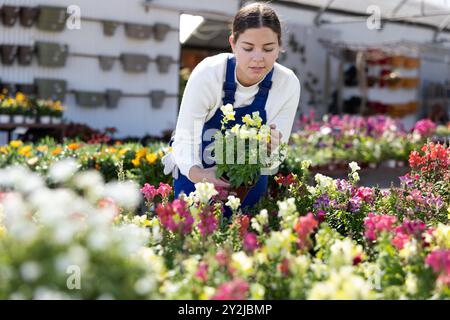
[175, 216]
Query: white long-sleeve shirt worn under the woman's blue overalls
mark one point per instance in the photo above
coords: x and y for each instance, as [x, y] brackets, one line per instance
[203, 96]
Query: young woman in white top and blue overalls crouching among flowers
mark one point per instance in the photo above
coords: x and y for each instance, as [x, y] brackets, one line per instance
[250, 80]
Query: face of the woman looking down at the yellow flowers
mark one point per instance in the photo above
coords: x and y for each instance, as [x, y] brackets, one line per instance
[256, 50]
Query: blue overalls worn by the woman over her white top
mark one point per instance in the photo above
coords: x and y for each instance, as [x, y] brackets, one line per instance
[183, 184]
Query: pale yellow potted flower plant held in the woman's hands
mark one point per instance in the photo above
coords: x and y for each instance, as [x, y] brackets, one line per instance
[241, 151]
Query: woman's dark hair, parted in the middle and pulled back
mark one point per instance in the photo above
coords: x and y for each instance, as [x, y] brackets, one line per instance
[256, 15]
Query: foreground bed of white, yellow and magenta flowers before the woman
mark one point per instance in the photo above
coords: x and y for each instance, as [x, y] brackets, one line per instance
[331, 240]
